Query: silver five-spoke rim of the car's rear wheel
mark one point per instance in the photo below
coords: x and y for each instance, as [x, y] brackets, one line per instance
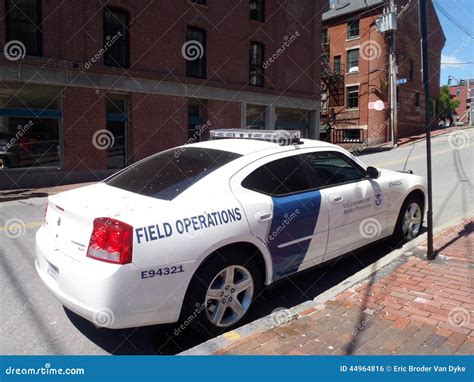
[229, 296]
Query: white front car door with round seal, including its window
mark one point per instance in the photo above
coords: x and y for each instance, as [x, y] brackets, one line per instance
[357, 209]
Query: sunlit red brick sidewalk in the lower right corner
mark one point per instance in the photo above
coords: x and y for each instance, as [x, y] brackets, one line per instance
[421, 307]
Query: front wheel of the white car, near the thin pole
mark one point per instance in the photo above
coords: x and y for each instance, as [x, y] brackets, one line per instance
[409, 222]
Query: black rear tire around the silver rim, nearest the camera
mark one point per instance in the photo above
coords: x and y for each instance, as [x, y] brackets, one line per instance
[197, 310]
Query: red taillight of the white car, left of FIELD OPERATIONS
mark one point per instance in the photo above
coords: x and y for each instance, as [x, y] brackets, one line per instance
[111, 241]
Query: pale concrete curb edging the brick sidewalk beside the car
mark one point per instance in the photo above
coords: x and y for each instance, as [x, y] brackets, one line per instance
[271, 321]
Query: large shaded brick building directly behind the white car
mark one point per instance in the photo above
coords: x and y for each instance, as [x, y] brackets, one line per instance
[87, 87]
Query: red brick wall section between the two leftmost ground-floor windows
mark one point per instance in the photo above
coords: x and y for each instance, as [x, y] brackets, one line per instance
[83, 115]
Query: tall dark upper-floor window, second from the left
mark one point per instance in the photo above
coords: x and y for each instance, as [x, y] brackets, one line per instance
[109, 59]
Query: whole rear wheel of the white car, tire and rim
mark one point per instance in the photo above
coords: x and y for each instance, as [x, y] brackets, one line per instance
[221, 292]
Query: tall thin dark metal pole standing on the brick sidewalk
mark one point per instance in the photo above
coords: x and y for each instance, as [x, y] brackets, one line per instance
[426, 84]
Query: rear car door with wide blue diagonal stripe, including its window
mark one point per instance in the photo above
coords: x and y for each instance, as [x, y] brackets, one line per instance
[284, 212]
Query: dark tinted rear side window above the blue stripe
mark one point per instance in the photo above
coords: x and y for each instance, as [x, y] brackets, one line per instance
[280, 177]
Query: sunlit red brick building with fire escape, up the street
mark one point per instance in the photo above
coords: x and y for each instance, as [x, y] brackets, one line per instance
[355, 72]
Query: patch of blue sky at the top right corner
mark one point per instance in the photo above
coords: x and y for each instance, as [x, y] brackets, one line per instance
[459, 47]
